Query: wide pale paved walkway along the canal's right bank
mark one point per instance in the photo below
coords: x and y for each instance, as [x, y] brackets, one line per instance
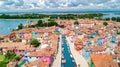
[79, 59]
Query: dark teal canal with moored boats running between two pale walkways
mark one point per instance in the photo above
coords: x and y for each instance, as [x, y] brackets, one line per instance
[67, 54]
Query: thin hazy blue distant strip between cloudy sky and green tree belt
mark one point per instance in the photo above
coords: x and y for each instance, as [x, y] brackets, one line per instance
[62, 11]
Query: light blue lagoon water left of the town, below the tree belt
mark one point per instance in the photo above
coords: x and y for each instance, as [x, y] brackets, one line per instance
[6, 26]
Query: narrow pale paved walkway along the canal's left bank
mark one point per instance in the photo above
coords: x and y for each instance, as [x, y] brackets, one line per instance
[57, 61]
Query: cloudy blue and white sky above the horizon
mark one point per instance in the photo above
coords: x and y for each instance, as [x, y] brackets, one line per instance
[48, 5]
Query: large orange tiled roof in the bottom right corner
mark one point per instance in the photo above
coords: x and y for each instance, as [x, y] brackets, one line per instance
[103, 60]
